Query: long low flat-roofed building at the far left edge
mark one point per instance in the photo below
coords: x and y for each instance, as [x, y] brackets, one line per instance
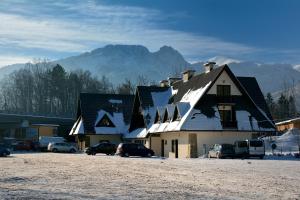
[31, 127]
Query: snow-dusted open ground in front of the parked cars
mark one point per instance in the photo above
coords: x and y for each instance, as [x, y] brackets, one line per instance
[78, 176]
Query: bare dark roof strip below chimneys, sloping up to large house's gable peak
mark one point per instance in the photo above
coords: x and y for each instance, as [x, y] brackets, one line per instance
[195, 82]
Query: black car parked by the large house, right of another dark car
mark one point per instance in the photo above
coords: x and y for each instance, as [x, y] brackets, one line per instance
[132, 149]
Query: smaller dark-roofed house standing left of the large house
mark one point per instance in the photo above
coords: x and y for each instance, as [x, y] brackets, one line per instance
[101, 117]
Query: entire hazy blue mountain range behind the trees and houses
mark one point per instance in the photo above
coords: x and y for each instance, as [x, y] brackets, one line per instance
[119, 62]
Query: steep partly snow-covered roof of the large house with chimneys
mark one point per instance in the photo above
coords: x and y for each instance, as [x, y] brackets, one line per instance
[198, 111]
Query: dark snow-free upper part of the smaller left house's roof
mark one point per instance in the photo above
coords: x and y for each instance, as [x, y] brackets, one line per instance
[91, 103]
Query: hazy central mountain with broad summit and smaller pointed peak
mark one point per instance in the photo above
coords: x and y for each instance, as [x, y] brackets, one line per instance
[118, 62]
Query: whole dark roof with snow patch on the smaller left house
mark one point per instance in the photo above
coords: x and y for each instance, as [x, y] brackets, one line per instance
[93, 107]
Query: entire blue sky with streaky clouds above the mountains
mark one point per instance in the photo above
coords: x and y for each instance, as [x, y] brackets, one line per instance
[257, 30]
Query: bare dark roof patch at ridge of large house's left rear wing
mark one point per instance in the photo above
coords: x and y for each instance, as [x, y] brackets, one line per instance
[145, 97]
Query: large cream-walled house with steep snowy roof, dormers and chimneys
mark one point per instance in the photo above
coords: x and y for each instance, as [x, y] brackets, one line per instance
[184, 118]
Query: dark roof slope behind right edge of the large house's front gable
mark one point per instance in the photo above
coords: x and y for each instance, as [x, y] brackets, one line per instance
[251, 86]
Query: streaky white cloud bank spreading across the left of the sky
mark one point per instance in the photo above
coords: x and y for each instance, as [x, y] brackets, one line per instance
[78, 26]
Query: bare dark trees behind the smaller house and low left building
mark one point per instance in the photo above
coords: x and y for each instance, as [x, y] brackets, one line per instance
[42, 88]
